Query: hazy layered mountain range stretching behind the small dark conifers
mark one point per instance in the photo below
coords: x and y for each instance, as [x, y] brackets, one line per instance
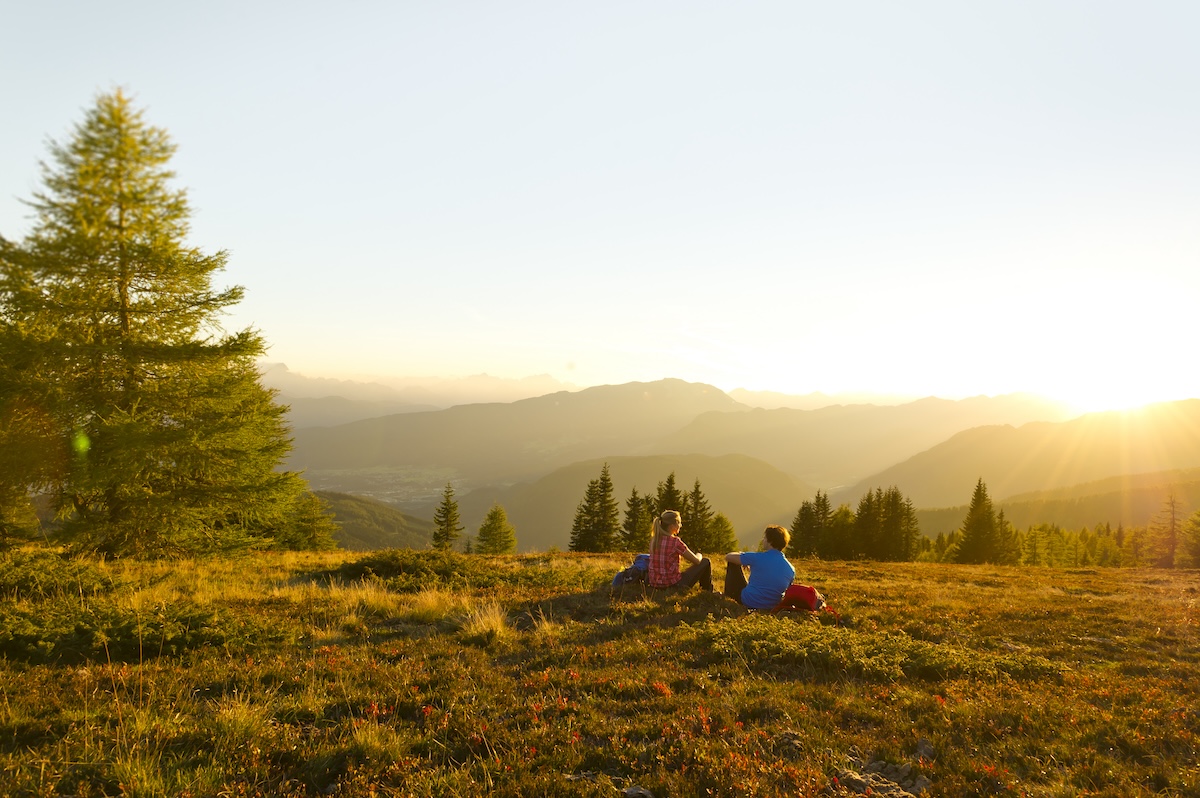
[536, 457]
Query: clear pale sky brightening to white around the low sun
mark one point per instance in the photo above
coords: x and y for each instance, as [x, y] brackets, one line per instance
[926, 199]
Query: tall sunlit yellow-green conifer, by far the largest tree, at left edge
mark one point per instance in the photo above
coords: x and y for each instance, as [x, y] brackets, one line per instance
[110, 328]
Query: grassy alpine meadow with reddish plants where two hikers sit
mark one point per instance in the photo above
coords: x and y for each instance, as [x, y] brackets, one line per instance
[412, 674]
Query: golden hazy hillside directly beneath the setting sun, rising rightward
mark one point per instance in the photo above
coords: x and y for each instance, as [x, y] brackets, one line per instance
[1043, 457]
